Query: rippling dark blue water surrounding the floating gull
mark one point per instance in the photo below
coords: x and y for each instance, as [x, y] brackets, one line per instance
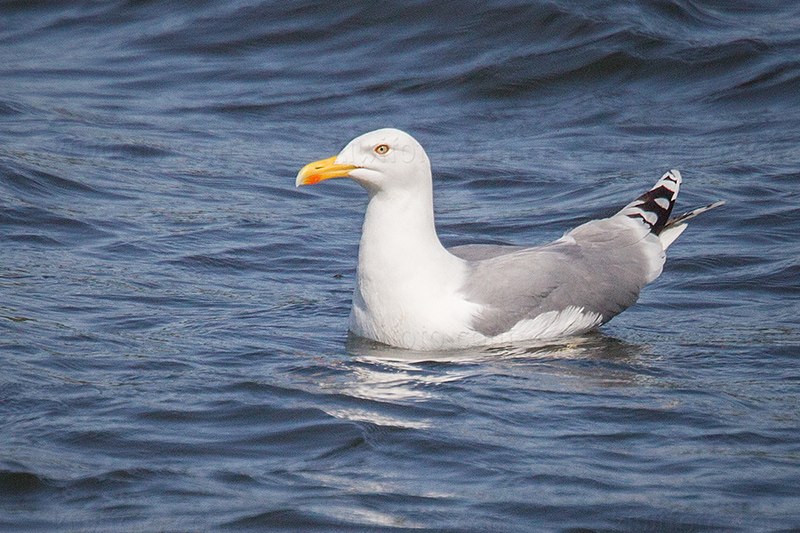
[173, 347]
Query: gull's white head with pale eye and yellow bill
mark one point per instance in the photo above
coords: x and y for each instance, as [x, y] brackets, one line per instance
[381, 160]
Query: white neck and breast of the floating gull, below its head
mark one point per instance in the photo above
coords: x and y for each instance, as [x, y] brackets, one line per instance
[407, 282]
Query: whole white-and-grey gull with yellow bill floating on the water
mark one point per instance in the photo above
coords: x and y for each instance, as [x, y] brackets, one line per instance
[411, 292]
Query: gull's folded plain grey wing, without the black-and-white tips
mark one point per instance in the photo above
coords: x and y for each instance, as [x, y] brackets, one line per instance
[600, 266]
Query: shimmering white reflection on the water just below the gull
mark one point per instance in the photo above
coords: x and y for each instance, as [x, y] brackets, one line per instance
[398, 377]
